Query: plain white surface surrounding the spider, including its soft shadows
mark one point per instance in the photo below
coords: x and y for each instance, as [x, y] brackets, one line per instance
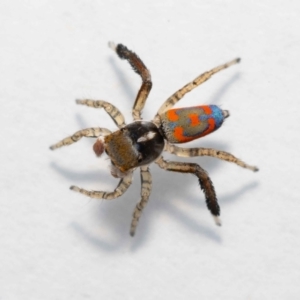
[56, 244]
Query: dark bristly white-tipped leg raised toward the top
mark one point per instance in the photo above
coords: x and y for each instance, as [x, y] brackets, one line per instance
[139, 67]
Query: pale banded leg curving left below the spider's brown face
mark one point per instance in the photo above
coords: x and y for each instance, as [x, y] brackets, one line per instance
[122, 187]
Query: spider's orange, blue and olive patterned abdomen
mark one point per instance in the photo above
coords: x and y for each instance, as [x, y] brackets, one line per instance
[181, 125]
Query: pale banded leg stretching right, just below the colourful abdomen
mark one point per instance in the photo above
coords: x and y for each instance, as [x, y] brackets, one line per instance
[192, 152]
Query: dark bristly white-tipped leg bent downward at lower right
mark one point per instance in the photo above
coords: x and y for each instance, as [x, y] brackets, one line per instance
[204, 180]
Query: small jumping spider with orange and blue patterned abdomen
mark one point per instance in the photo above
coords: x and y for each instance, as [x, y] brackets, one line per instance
[141, 143]
